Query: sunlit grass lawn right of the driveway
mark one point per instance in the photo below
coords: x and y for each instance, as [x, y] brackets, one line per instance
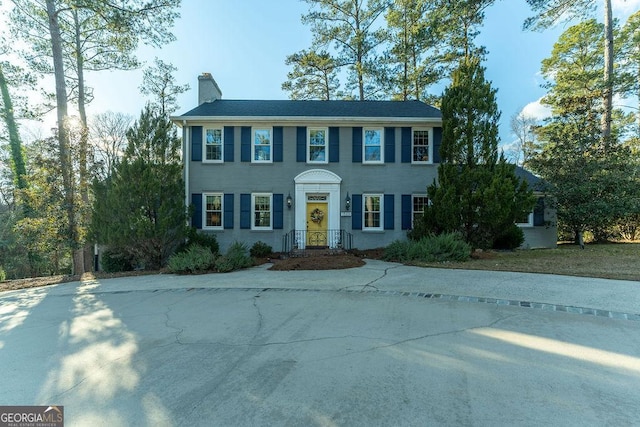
[608, 261]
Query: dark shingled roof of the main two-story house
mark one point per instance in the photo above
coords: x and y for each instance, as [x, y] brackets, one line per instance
[287, 108]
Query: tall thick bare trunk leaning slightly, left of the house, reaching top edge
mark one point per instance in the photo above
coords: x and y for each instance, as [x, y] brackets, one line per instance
[66, 165]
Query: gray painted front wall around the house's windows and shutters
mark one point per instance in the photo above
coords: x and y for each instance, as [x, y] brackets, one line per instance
[244, 177]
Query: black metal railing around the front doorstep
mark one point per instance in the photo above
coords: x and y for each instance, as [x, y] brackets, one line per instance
[299, 240]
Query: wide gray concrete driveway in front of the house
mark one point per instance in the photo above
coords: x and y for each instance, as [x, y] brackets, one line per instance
[383, 344]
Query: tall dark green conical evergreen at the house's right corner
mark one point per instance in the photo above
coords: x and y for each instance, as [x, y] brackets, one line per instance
[477, 193]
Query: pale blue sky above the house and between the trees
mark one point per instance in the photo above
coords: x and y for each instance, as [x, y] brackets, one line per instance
[243, 44]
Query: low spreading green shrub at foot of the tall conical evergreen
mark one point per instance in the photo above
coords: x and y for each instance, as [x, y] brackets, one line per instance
[445, 247]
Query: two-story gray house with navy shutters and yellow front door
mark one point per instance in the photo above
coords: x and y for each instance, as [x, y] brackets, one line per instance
[300, 174]
